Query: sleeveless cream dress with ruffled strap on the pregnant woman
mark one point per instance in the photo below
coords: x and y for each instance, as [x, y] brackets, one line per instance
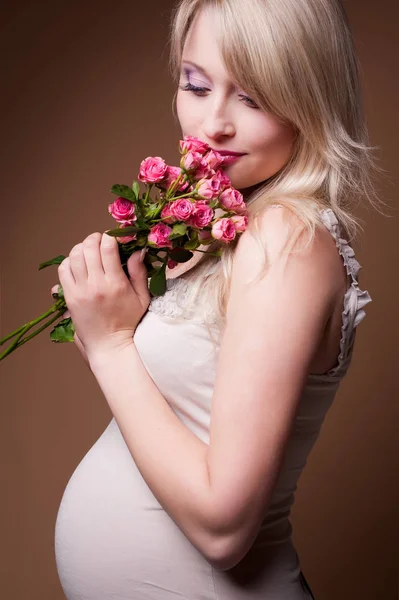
[114, 541]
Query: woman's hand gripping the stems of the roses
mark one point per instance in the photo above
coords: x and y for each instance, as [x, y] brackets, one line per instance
[105, 305]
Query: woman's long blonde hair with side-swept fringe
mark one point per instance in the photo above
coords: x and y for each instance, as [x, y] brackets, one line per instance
[295, 59]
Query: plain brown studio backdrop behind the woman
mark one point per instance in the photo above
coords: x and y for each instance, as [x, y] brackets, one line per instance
[87, 95]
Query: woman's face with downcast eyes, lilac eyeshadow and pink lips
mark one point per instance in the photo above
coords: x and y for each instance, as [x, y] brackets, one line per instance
[212, 108]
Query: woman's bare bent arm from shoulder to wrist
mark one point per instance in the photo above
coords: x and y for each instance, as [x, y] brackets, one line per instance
[218, 494]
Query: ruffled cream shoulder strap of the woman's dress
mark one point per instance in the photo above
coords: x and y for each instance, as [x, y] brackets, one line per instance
[355, 299]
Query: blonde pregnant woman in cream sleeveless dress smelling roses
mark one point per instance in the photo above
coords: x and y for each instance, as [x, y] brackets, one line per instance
[219, 388]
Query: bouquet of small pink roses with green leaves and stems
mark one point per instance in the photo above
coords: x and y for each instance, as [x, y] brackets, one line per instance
[180, 209]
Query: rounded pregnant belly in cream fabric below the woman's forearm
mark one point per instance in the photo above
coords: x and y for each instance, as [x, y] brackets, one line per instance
[114, 540]
